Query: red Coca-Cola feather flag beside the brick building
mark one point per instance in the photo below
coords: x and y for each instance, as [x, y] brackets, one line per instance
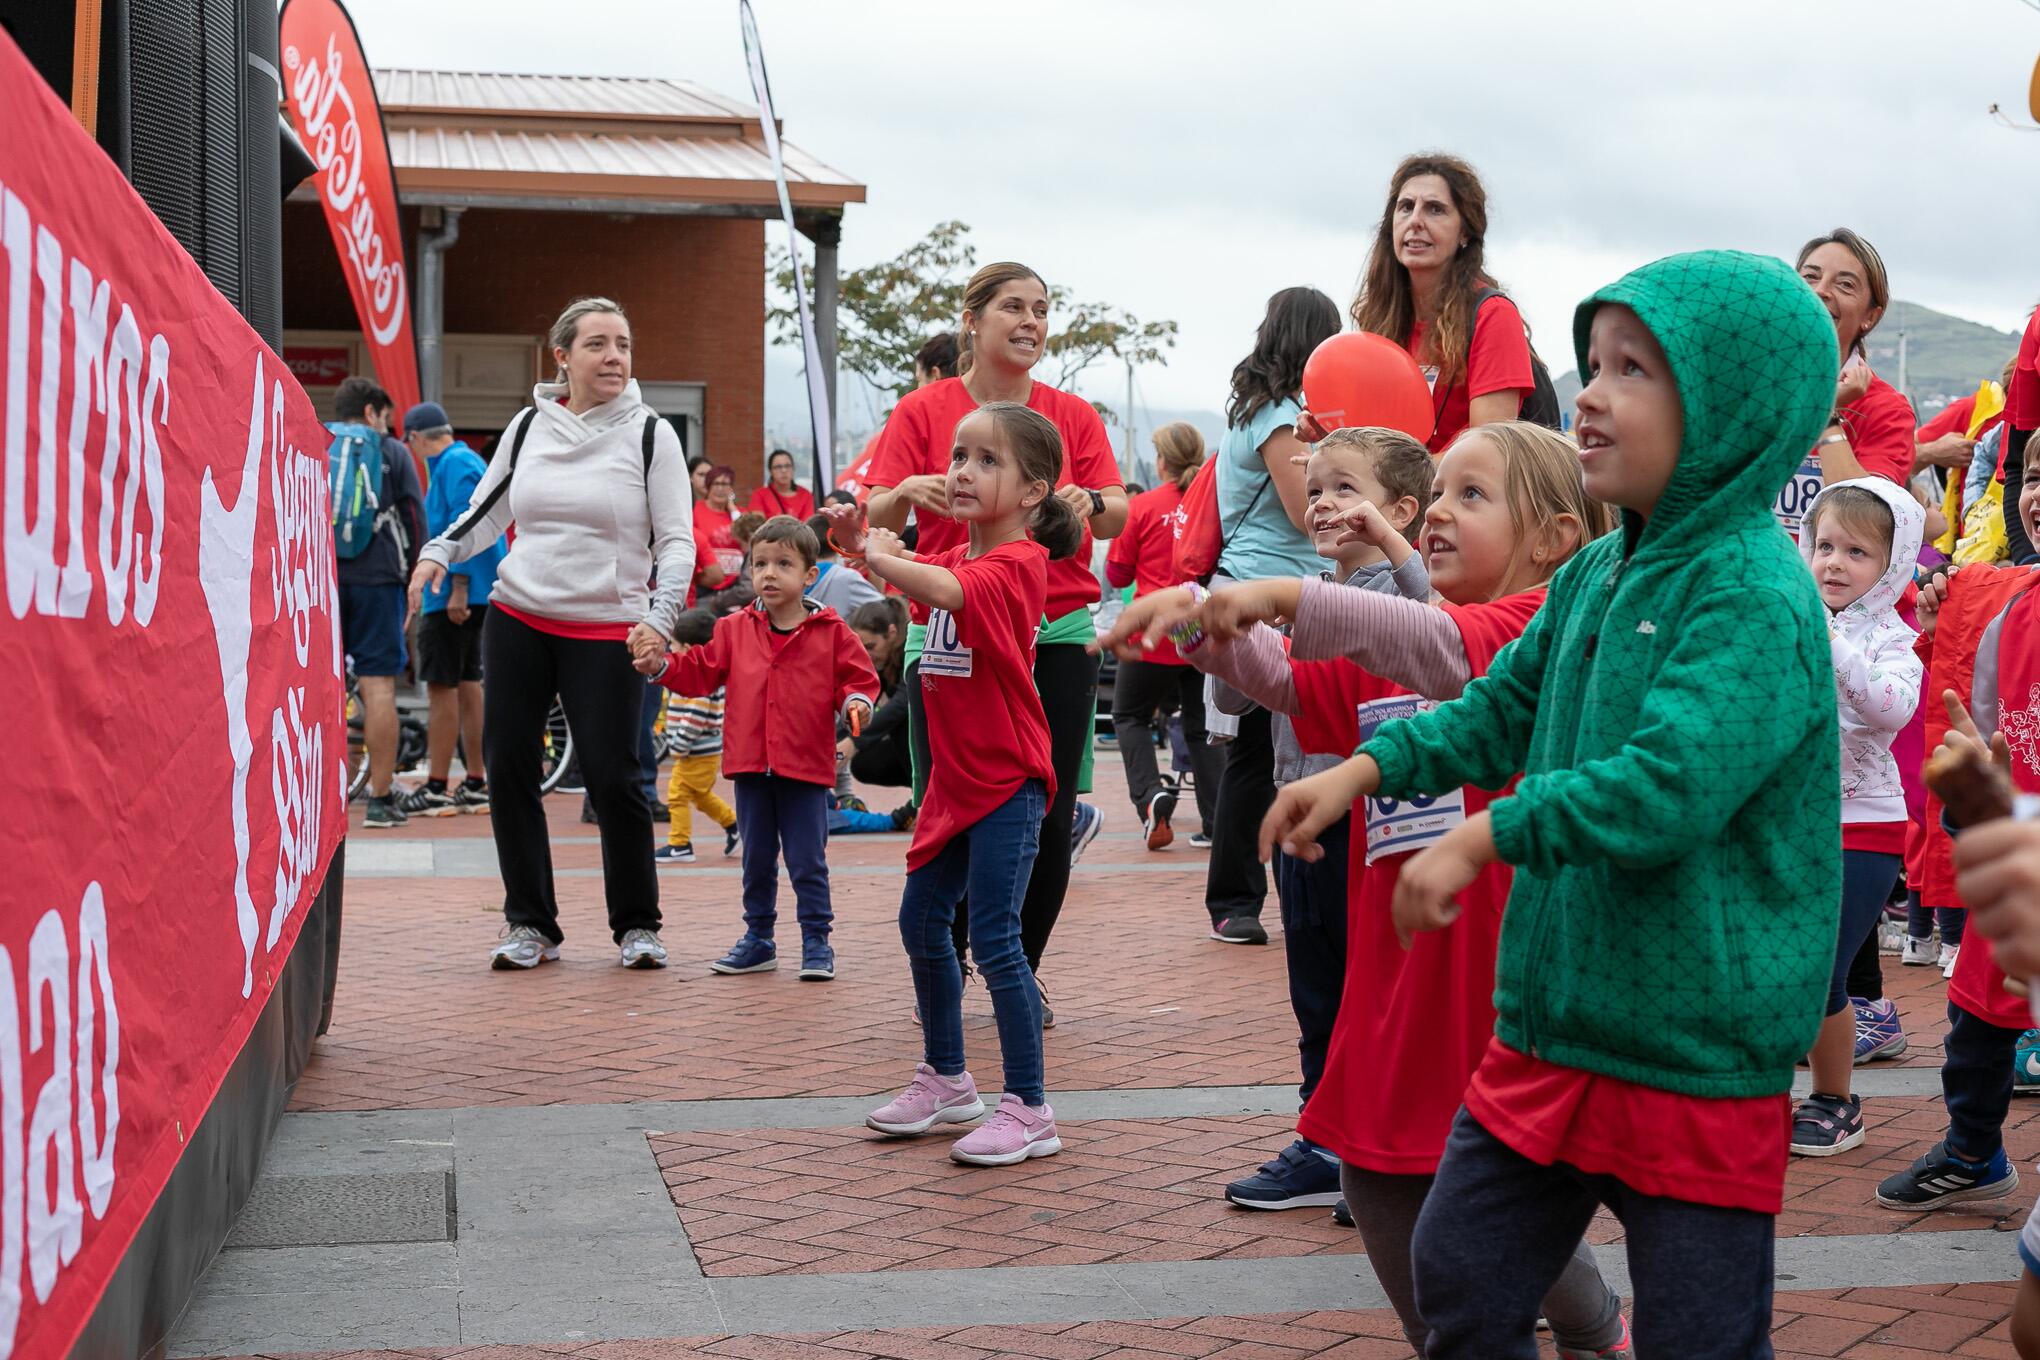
[331, 101]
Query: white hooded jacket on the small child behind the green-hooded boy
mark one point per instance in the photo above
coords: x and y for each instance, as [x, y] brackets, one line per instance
[1876, 670]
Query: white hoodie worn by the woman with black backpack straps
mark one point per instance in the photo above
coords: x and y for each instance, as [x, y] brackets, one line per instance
[591, 517]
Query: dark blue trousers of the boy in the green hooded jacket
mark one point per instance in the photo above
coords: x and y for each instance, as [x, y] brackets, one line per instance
[1498, 1231]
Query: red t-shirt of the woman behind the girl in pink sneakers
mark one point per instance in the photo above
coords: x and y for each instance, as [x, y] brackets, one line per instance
[921, 435]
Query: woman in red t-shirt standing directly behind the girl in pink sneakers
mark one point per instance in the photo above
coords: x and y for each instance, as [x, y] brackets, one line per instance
[1005, 333]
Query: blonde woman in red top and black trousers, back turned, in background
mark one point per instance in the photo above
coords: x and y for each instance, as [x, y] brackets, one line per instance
[1143, 558]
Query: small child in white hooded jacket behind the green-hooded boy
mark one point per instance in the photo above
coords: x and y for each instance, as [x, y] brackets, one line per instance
[1861, 539]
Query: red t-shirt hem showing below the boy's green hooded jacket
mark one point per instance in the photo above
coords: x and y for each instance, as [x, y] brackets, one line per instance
[1725, 1153]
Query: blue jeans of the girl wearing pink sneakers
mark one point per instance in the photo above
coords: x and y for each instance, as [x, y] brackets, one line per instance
[992, 864]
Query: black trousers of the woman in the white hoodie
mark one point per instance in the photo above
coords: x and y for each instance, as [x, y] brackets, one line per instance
[605, 700]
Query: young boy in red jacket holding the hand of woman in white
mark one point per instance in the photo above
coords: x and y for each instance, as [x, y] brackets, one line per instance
[790, 668]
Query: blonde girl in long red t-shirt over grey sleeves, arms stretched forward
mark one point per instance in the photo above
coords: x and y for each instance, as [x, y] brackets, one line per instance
[1413, 1025]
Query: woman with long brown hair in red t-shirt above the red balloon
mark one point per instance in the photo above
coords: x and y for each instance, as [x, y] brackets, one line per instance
[1425, 291]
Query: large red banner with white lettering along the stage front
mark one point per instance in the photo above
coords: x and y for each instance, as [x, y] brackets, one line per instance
[172, 704]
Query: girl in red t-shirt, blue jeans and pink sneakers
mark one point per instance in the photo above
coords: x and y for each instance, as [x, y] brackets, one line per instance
[990, 776]
